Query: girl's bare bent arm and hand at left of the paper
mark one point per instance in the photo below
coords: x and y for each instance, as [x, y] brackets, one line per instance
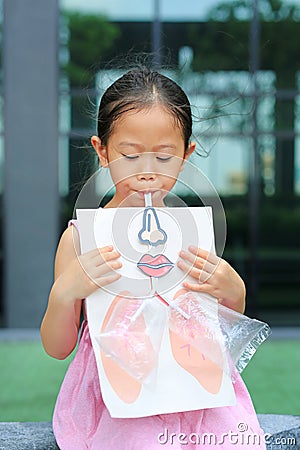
[75, 277]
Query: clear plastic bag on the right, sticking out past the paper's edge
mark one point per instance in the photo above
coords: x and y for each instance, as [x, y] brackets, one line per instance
[225, 336]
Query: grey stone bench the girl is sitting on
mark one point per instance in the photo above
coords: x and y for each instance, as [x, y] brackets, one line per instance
[282, 432]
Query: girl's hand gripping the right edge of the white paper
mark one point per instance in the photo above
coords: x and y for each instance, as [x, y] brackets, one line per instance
[214, 276]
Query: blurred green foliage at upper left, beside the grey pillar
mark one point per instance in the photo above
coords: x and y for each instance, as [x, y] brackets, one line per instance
[90, 38]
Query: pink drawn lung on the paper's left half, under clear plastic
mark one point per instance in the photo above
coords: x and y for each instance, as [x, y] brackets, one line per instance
[130, 346]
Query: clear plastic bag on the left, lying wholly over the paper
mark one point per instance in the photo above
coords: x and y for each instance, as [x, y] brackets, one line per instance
[132, 336]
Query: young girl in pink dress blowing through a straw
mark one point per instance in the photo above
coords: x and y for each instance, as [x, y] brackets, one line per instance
[144, 131]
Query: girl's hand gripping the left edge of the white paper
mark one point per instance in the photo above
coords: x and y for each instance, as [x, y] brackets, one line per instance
[88, 272]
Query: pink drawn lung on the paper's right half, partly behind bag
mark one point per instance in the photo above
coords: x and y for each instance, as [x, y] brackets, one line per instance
[187, 354]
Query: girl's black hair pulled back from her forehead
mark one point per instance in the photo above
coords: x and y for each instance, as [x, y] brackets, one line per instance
[142, 88]
